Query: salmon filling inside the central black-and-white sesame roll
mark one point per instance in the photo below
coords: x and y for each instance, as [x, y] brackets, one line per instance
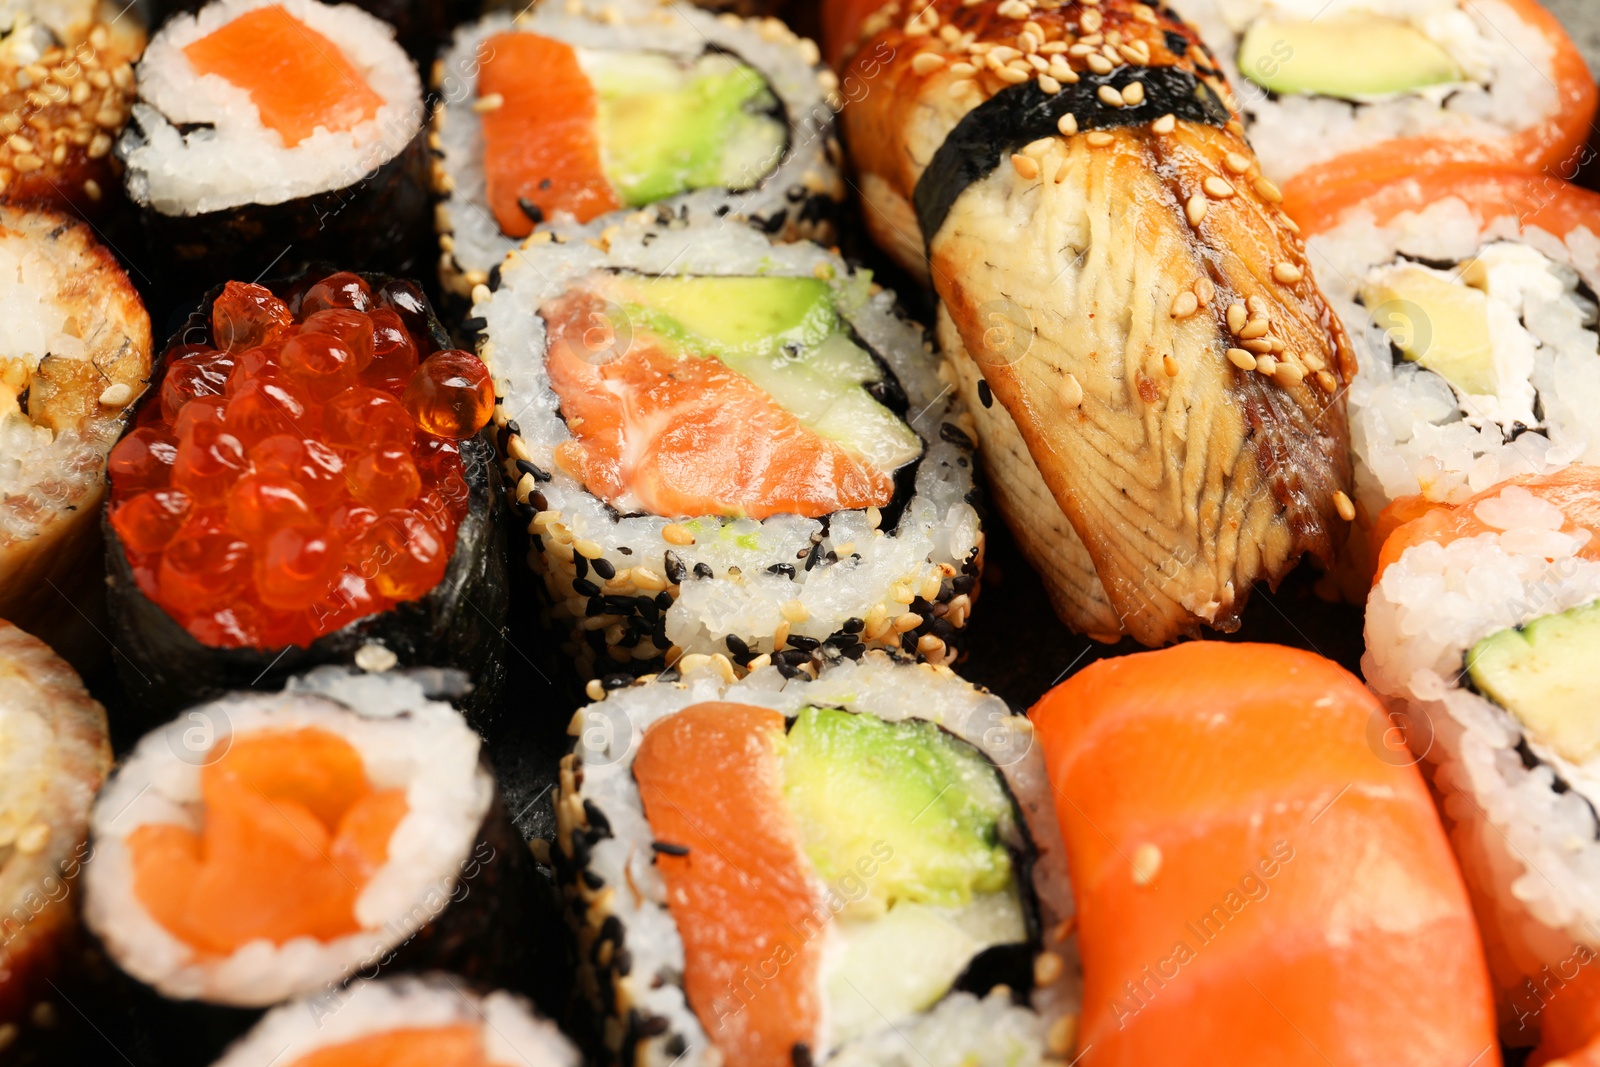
[689, 436]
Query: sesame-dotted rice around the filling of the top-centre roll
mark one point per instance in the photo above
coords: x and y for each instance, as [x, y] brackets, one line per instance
[782, 201]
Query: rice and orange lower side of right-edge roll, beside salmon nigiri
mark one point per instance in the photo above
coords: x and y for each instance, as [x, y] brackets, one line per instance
[1521, 817]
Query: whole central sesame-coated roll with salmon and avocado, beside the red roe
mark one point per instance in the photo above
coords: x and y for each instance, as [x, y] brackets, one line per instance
[727, 447]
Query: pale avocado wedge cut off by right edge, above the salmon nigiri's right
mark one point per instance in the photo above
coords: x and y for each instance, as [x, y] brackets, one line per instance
[1545, 676]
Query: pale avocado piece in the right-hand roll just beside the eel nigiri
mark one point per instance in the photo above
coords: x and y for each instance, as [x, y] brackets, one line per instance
[1436, 322]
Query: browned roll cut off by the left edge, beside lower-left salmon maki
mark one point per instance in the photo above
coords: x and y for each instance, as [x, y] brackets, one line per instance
[54, 757]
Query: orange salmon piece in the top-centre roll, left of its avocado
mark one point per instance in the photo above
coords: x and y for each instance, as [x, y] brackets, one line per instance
[540, 145]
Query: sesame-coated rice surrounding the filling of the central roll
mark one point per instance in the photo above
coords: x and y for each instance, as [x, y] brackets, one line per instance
[735, 586]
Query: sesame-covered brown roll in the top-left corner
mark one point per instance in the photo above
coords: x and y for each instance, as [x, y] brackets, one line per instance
[66, 89]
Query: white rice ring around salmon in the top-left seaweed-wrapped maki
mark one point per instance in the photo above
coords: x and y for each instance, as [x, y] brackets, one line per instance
[233, 159]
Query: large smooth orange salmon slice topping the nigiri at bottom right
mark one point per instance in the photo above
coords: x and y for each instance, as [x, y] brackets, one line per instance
[1255, 885]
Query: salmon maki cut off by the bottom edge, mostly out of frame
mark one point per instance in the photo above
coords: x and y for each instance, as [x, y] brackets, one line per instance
[430, 1020]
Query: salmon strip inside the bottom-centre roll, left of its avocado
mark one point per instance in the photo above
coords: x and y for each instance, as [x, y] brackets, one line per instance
[711, 780]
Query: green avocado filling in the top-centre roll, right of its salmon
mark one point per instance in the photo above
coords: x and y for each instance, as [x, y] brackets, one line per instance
[670, 127]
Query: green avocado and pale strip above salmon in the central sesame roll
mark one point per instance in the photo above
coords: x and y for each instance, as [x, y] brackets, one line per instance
[786, 337]
